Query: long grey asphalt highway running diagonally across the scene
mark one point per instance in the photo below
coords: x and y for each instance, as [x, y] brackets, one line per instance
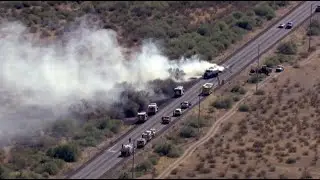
[110, 157]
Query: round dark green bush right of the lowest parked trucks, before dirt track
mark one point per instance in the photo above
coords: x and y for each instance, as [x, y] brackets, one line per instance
[168, 149]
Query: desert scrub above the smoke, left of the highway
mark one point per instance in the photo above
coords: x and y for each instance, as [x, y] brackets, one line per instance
[184, 27]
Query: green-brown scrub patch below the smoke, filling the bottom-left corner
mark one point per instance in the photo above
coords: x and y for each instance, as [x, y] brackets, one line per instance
[45, 155]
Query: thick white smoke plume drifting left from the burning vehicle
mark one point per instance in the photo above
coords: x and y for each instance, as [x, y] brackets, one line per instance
[40, 81]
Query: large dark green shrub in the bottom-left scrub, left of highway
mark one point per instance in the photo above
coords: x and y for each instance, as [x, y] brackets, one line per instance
[66, 152]
